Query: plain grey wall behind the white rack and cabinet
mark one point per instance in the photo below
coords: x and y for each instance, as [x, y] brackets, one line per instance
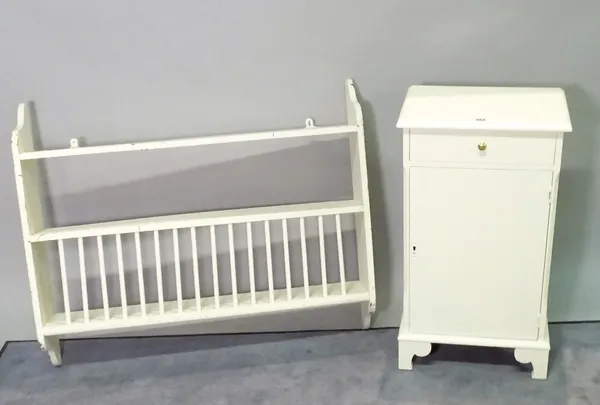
[119, 71]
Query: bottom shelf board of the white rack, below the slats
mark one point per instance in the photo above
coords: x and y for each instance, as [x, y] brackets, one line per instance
[355, 293]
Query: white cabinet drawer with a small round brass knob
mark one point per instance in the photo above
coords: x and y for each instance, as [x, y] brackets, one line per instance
[523, 149]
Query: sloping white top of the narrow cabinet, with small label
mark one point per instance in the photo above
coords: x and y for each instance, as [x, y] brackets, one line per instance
[485, 108]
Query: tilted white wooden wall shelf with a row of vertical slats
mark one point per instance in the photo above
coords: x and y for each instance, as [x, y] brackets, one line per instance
[152, 310]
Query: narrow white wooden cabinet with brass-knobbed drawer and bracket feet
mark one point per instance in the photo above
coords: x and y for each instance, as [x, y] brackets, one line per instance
[481, 170]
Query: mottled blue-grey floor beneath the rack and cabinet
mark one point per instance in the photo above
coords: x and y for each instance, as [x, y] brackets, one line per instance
[357, 367]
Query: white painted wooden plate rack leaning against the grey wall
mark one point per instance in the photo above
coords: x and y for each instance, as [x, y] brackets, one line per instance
[52, 322]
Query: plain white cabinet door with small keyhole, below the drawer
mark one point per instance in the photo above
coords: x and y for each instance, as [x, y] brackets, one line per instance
[477, 243]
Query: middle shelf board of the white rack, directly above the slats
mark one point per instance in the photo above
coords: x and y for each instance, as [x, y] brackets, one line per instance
[200, 219]
